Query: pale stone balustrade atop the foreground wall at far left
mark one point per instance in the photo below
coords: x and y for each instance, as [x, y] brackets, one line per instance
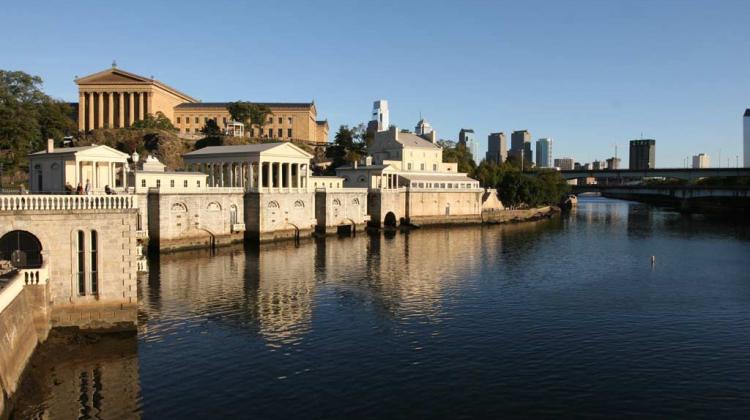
[66, 202]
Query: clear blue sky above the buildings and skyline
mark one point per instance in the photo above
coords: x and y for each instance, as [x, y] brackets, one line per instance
[588, 73]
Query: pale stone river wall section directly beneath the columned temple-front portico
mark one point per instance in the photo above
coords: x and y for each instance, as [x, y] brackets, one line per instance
[275, 216]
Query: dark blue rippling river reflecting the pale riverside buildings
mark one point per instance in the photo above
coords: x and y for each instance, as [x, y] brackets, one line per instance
[562, 317]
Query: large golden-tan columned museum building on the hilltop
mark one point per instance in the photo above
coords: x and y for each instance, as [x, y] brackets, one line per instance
[115, 98]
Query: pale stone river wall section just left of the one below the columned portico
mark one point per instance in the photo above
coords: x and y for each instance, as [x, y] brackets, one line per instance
[192, 220]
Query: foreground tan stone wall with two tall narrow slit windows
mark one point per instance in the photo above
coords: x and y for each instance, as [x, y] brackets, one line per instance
[57, 231]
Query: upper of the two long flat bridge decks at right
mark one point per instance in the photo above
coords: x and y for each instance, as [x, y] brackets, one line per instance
[689, 174]
